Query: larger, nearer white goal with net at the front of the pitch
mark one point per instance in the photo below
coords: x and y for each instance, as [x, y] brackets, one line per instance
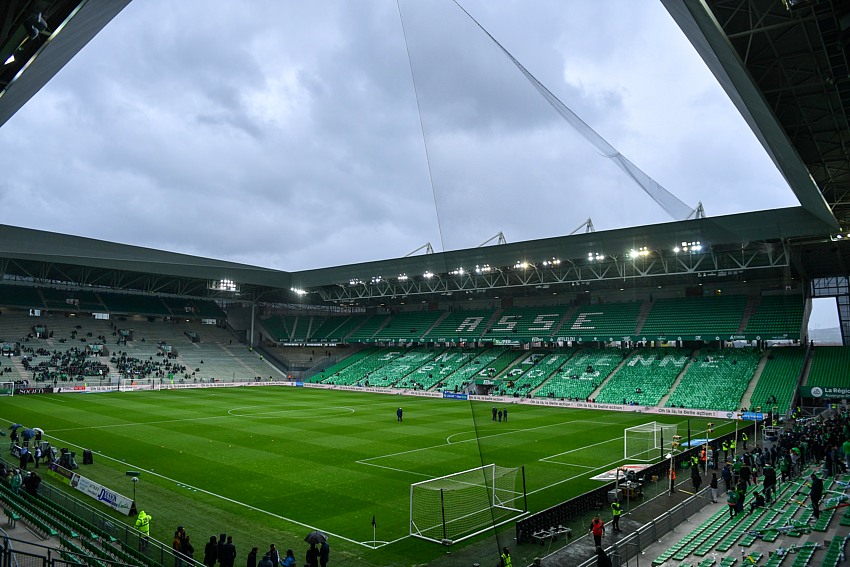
[462, 505]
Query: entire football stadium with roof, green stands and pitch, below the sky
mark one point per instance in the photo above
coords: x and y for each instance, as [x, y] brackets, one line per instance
[438, 408]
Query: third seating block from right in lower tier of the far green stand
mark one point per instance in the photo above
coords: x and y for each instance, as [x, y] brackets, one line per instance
[645, 377]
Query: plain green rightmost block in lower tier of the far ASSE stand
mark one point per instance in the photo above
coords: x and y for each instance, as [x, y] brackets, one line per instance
[778, 380]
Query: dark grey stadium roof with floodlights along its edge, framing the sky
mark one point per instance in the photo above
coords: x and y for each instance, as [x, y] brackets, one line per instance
[781, 67]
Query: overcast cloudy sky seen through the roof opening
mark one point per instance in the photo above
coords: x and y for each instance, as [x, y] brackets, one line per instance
[287, 134]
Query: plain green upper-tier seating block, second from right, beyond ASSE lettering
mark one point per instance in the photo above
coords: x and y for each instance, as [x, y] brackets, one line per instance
[695, 316]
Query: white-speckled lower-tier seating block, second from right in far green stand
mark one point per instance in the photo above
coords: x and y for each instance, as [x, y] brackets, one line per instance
[716, 379]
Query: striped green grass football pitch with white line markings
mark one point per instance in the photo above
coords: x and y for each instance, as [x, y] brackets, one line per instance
[270, 464]
